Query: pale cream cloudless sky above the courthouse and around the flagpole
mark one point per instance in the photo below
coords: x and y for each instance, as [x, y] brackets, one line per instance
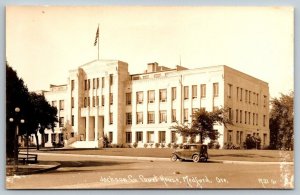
[44, 42]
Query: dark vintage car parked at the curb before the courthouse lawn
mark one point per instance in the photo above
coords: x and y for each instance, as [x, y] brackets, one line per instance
[195, 152]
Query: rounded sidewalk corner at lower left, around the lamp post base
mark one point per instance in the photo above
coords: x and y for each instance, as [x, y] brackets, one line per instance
[28, 169]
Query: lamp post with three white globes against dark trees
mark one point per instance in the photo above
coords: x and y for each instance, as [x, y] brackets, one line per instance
[16, 137]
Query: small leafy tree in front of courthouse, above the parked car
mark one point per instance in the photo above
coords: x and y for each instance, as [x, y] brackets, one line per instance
[202, 124]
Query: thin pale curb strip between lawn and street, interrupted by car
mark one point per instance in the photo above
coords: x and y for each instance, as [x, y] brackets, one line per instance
[163, 159]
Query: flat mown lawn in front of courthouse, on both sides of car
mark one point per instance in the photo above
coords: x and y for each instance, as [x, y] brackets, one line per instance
[238, 155]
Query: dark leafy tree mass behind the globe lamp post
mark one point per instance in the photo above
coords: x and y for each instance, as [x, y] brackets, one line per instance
[35, 110]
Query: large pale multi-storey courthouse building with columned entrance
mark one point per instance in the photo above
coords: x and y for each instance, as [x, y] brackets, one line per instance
[102, 99]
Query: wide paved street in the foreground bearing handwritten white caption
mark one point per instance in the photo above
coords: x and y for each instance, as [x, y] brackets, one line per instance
[78, 171]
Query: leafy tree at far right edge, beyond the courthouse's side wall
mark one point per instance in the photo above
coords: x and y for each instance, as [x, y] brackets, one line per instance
[282, 122]
